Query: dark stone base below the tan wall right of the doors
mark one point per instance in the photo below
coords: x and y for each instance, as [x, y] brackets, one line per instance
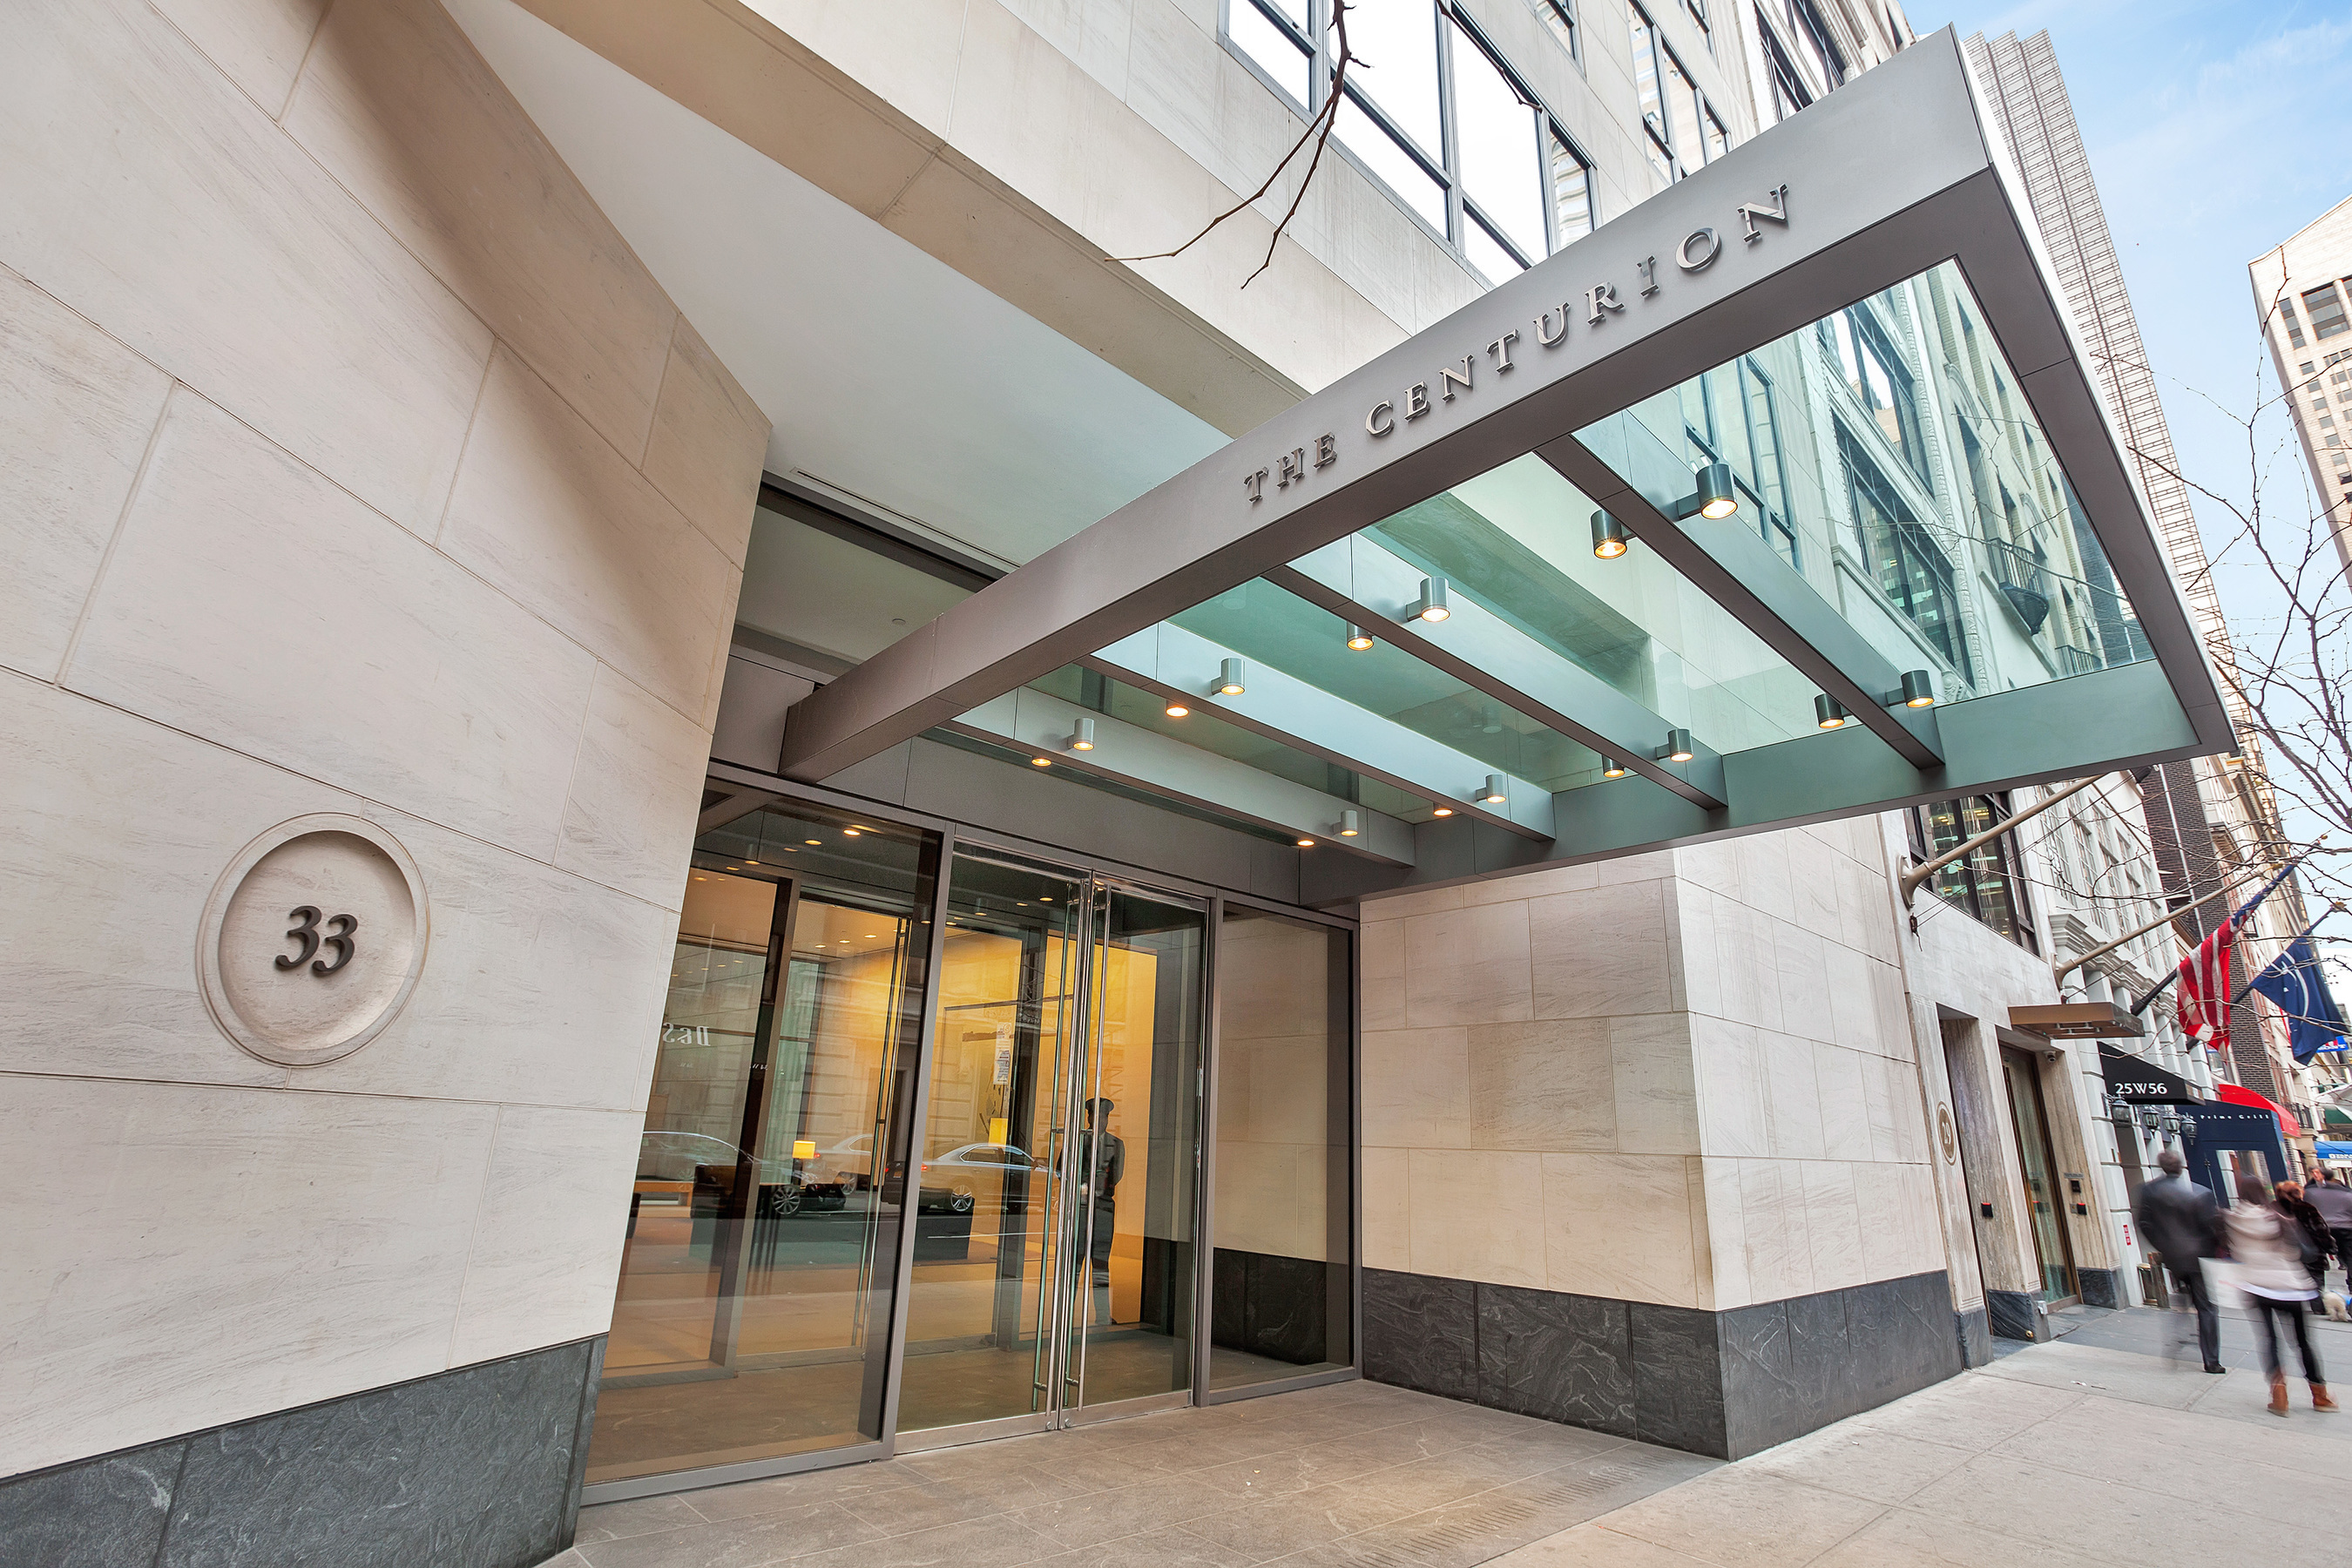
[1718, 1383]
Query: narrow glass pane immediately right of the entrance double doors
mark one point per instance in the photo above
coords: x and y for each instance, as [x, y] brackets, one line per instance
[1283, 1188]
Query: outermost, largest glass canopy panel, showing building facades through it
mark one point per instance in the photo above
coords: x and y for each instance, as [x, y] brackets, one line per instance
[1890, 460]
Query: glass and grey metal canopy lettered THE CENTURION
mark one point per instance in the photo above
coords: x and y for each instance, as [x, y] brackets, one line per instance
[1782, 497]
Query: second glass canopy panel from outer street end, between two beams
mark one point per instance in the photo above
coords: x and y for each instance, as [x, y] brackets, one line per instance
[1518, 542]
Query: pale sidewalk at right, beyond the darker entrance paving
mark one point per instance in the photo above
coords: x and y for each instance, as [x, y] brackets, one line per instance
[2097, 1449]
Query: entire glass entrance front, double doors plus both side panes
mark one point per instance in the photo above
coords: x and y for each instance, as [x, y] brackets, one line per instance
[1057, 1177]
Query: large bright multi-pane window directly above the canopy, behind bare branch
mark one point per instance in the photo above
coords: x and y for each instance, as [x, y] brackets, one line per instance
[1436, 116]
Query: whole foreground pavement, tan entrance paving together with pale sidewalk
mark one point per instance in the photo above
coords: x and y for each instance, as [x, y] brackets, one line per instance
[2097, 1449]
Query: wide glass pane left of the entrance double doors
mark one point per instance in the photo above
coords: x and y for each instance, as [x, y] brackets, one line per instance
[756, 1285]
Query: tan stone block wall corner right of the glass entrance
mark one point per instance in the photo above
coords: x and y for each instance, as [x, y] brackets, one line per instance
[1683, 1078]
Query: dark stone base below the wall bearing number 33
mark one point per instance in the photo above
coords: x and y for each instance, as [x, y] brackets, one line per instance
[479, 1468]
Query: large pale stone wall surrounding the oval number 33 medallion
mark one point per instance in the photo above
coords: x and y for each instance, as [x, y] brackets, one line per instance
[349, 462]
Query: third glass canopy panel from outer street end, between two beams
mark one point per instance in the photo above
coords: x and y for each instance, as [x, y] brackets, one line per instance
[1309, 643]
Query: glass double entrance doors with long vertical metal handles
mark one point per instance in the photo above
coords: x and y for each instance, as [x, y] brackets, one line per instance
[1057, 1186]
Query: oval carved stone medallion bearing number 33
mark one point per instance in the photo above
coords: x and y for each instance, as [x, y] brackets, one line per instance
[314, 939]
